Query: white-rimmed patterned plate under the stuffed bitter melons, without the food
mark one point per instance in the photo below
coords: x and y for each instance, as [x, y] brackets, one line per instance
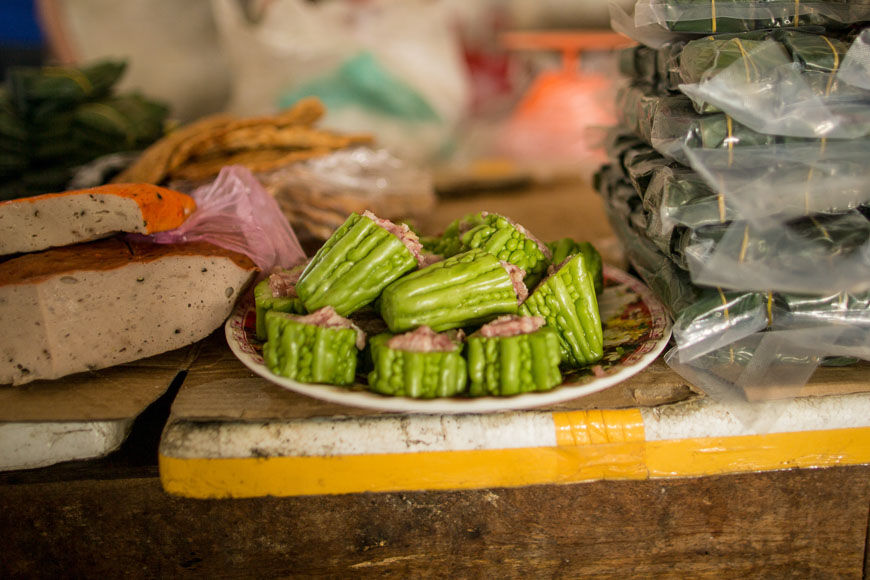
[636, 330]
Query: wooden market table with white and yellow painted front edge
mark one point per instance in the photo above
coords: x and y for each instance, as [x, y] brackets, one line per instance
[641, 502]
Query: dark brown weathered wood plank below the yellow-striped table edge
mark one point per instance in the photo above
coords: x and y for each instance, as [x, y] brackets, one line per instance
[795, 524]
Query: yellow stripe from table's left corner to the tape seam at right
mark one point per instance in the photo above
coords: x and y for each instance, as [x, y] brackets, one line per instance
[287, 476]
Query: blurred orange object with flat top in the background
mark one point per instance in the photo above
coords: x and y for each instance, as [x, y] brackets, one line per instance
[556, 119]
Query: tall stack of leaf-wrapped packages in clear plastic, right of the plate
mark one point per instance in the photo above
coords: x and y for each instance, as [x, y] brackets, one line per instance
[739, 183]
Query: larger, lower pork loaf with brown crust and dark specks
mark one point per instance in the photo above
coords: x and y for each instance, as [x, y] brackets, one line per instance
[108, 302]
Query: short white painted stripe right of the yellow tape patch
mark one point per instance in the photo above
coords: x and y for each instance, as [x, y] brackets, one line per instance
[705, 418]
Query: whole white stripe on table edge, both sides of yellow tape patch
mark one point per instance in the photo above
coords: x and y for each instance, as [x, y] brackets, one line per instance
[430, 433]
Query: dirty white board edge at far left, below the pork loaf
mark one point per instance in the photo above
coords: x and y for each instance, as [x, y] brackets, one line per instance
[30, 445]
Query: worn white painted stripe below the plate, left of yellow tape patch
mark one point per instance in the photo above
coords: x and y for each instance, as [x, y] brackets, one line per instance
[358, 435]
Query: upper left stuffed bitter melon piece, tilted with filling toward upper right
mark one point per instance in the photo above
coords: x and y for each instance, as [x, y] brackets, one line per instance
[356, 263]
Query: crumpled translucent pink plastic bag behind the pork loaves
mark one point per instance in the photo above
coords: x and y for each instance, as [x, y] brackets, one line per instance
[236, 213]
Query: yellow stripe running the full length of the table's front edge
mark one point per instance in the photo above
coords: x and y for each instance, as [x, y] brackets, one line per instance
[571, 463]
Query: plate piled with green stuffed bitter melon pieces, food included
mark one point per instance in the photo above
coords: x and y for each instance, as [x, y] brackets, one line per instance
[483, 318]
